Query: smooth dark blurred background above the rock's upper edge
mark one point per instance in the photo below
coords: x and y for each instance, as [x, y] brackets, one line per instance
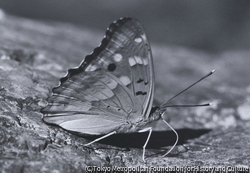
[208, 25]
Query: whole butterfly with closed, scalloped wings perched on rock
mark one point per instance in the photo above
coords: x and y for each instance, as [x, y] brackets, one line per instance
[112, 90]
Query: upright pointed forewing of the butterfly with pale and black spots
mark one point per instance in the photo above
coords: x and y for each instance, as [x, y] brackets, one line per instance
[125, 52]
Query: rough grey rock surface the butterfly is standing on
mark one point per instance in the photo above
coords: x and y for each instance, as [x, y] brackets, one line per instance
[34, 55]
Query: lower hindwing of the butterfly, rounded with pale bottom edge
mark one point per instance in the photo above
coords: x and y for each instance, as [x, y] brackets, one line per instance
[90, 103]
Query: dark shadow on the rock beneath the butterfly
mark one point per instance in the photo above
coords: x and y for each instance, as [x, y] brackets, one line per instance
[158, 139]
